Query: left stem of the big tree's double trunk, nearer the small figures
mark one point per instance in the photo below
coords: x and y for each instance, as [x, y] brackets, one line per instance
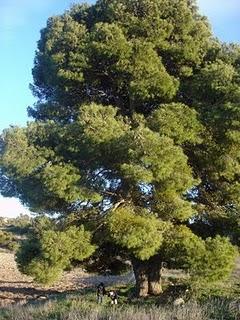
[141, 277]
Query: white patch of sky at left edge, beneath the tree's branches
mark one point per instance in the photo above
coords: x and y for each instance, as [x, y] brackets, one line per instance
[11, 207]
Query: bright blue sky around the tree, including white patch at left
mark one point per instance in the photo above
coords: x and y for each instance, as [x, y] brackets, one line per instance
[20, 24]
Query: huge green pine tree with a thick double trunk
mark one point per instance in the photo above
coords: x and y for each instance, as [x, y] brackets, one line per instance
[136, 137]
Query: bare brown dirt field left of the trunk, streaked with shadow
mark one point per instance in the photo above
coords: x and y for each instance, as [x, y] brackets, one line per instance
[18, 288]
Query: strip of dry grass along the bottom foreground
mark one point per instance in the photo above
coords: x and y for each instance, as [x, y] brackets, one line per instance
[85, 308]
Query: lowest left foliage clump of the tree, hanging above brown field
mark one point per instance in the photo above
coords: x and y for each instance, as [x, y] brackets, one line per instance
[45, 255]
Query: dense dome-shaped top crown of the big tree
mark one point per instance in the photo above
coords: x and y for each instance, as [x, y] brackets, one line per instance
[125, 53]
